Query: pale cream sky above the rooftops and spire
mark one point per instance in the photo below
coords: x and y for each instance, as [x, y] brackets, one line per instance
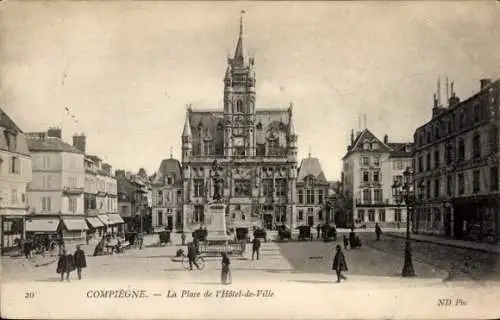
[126, 70]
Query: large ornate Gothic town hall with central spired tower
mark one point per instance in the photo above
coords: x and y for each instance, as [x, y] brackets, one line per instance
[256, 152]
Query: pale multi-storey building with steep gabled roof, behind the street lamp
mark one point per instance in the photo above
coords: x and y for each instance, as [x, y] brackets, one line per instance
[370, 168]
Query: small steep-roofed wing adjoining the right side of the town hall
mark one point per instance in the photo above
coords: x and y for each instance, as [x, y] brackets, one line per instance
[312, 191]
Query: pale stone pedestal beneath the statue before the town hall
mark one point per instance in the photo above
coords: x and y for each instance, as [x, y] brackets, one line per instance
[215, 222]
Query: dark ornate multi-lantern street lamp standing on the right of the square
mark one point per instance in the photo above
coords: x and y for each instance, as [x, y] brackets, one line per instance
[404, 195]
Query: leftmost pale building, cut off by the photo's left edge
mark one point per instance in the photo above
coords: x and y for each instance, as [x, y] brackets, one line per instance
[15, 174]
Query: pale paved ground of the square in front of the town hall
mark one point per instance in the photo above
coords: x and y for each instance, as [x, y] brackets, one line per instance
[377, 261]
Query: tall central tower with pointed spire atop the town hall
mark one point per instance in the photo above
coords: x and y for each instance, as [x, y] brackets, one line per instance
[239, 103]
